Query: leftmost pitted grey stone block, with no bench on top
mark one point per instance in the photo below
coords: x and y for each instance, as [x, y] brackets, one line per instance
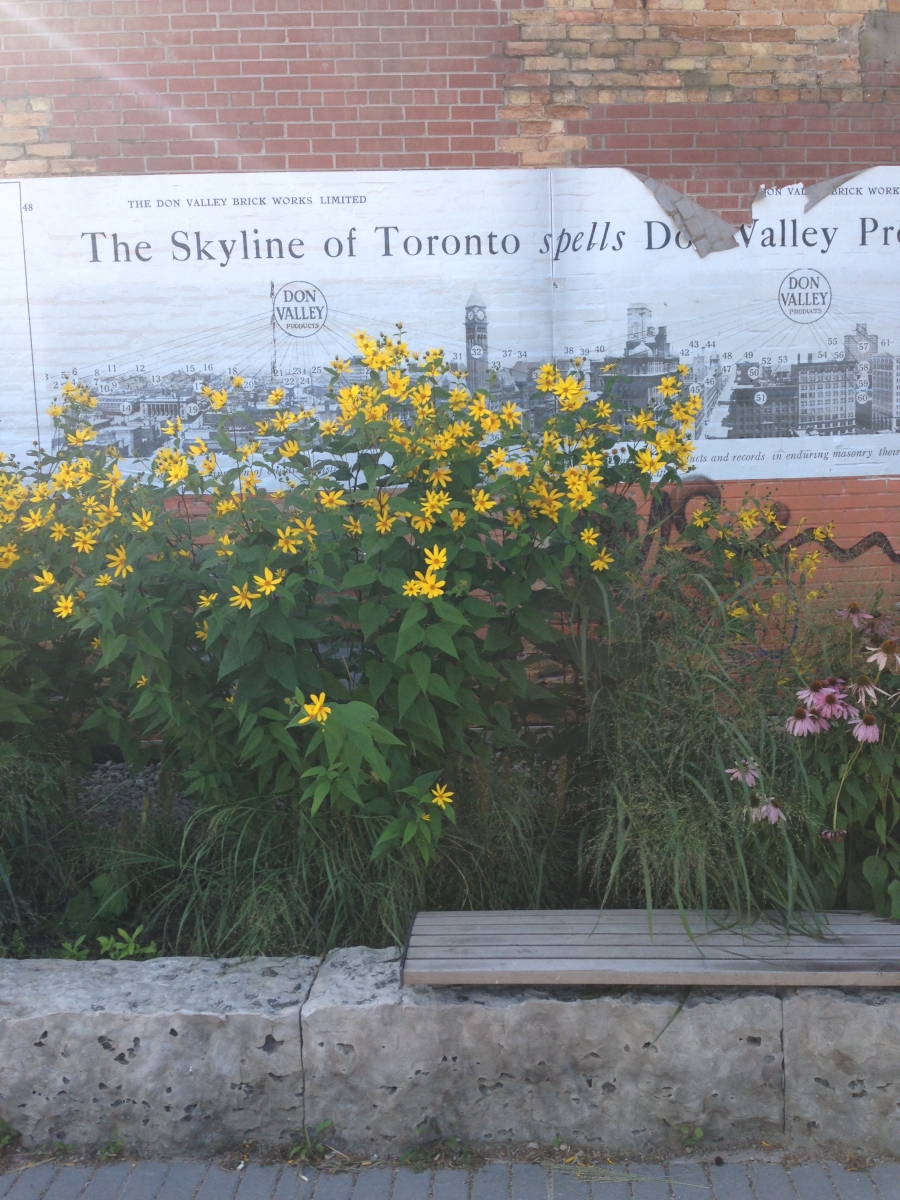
[175, 1053]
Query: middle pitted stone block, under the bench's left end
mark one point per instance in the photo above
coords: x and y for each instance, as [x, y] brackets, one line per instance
[393, 1065]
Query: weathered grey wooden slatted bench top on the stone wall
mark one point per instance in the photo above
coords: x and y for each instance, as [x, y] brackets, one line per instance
[619, 947]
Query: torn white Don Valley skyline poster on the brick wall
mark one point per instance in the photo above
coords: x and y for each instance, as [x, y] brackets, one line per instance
[149, 287]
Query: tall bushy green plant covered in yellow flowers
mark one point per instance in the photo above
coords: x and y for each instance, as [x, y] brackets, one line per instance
[335, 610]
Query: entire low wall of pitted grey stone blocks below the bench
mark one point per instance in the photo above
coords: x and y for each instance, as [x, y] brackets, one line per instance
[177, 1054]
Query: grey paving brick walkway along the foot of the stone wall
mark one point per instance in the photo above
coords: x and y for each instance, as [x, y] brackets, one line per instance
[680, 1181]
